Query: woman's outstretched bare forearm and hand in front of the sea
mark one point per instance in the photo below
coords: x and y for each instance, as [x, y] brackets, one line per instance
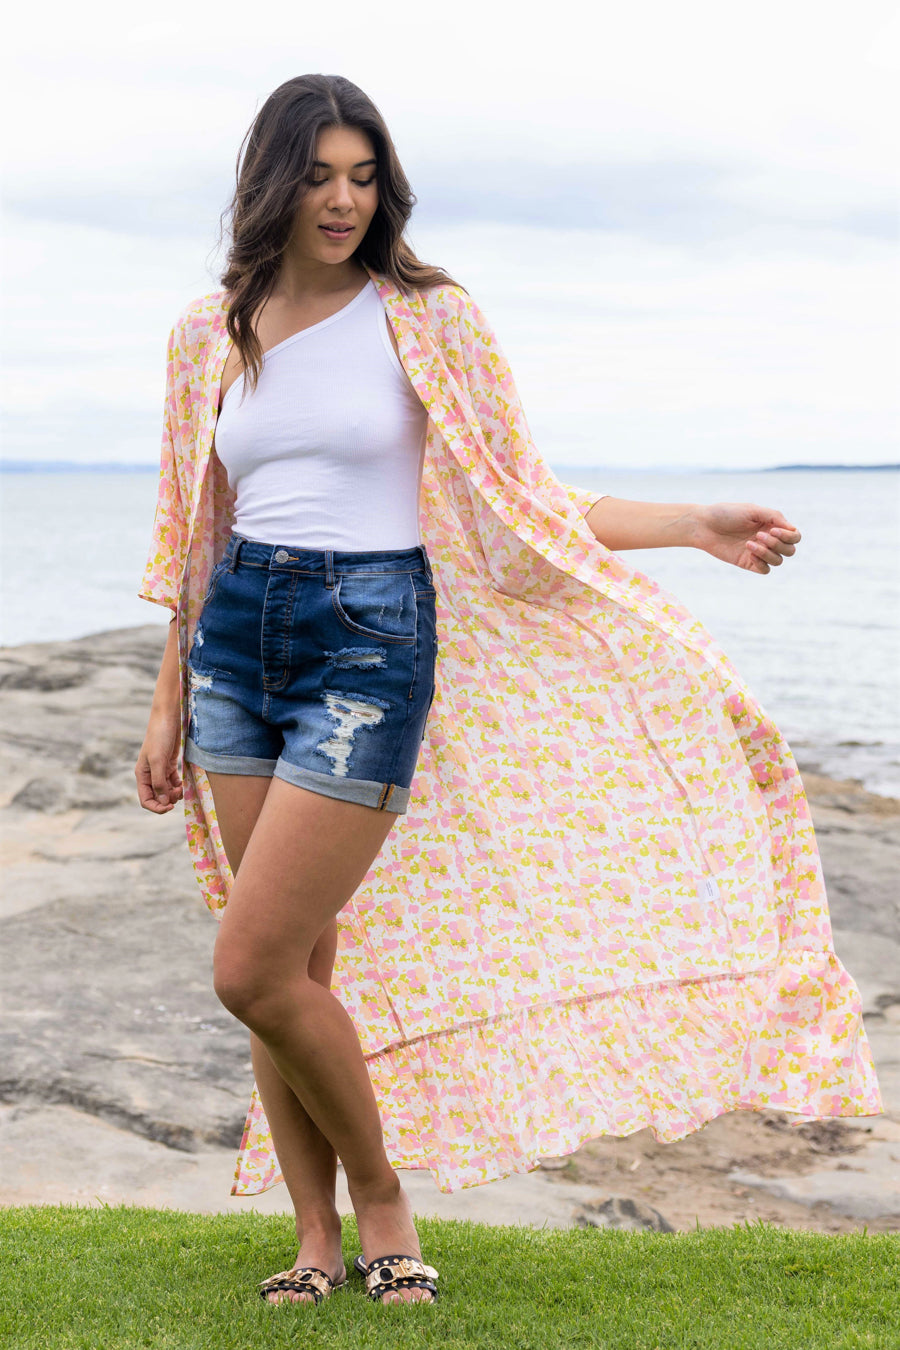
[750, 537]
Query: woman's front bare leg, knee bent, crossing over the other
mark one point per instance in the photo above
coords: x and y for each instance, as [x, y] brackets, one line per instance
[306, 858]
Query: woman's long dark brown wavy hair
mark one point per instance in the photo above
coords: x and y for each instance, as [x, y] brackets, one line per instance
[275, 165]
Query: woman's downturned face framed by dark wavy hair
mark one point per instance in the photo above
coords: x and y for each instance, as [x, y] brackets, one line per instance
[343, 192]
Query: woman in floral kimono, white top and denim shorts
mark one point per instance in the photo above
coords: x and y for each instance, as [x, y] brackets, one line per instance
[489, 782]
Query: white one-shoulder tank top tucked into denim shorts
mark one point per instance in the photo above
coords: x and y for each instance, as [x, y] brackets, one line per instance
[329, 450]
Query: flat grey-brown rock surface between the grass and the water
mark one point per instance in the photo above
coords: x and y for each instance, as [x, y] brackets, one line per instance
[126, 1081]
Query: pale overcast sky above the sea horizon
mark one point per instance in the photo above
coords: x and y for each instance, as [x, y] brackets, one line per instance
[681, 219]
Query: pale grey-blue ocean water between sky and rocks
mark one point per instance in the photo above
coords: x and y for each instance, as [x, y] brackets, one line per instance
[818, 641]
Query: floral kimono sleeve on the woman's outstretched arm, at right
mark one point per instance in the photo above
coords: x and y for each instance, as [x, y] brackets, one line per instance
[501, 415]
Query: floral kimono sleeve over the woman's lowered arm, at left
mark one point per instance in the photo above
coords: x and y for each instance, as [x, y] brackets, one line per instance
[164, 569]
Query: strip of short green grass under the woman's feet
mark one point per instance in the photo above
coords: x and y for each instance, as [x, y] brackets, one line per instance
[126, 1278]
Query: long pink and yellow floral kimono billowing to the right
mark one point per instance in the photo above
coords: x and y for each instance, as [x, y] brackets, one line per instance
[604, 908]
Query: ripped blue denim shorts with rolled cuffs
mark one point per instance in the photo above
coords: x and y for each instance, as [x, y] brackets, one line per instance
[315, 666]
